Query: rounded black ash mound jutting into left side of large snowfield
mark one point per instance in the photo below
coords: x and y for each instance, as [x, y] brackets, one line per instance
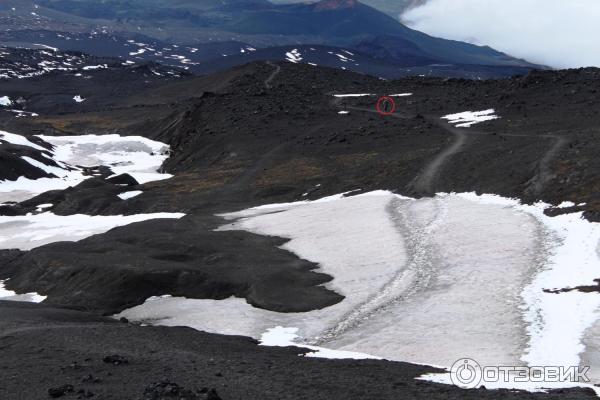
[172, 253]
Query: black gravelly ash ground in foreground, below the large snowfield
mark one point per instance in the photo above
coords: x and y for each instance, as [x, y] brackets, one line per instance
[193, 357]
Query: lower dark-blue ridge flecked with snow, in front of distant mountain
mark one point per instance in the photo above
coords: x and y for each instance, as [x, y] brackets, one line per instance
[212, 57]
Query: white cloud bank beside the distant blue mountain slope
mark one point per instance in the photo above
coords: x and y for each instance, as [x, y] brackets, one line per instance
[556, 33]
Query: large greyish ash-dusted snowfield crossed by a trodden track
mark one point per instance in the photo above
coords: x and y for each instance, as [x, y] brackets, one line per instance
[427, 281]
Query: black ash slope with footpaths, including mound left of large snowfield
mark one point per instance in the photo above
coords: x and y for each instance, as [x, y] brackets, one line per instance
[265, 133]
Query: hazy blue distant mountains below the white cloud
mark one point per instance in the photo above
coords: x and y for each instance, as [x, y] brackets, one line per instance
[209, 29]
